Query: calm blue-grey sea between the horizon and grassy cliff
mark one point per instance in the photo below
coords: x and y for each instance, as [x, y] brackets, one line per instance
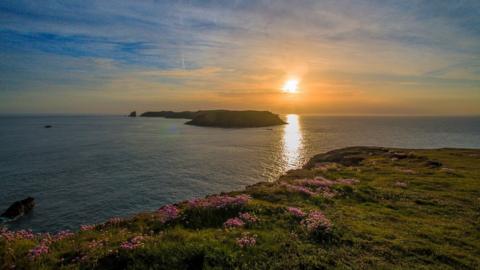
[86, 169]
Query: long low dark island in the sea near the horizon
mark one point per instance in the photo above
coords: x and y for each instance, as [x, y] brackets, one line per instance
[223, 118]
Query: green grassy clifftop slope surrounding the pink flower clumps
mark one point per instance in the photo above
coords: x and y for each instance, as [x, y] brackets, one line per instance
[433, 223]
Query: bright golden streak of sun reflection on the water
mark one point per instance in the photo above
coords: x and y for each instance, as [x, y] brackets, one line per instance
[292, 142]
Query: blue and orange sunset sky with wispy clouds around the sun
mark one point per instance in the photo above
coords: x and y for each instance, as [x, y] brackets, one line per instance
[349, 57]
